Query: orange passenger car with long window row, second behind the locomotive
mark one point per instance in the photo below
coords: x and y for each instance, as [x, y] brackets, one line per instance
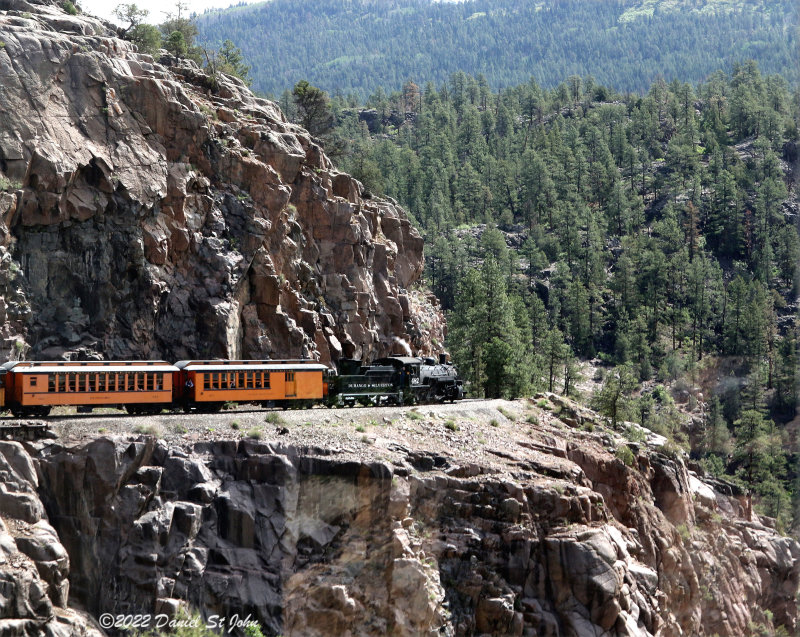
[33, 387]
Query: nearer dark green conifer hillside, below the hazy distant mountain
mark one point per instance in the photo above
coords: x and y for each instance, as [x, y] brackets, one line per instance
[658, 233]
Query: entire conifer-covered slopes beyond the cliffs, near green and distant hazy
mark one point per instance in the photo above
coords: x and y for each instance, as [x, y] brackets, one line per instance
[594, 228]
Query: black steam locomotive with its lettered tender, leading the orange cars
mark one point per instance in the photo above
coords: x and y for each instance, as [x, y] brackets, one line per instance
[396, 380]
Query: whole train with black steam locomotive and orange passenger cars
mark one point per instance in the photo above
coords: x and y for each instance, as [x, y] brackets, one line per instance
[33, 388]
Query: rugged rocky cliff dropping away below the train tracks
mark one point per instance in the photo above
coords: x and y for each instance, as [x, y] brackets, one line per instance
[450, 520]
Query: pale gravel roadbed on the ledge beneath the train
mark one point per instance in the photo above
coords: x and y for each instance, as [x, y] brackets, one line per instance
[486, 432]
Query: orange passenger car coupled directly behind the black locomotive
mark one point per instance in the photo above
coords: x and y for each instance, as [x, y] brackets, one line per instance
[208, 385]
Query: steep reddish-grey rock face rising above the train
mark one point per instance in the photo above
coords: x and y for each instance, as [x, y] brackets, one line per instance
[151, 211]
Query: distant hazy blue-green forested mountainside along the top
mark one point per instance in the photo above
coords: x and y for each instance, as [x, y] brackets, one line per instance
[360, 45]
